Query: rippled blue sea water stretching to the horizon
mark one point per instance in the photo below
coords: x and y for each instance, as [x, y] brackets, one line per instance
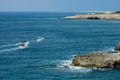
[50, 59]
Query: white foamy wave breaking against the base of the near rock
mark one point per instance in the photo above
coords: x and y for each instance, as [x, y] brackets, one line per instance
[65, 65]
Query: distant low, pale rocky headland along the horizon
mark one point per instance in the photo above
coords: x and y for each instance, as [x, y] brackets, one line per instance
[103, 16]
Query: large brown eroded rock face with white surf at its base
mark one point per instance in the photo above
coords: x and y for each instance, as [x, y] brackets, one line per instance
[97, 60]
